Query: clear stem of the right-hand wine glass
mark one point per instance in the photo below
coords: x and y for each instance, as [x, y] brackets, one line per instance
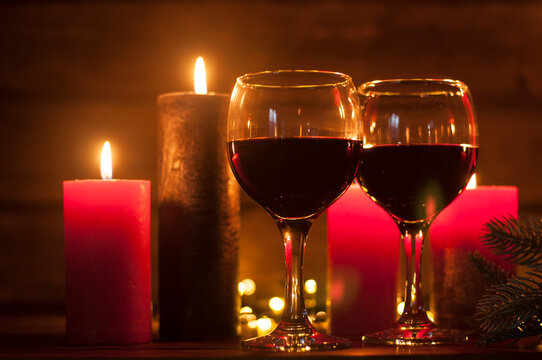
[413, 235]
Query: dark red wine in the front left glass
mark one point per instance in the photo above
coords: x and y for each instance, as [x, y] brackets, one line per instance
[294, 177]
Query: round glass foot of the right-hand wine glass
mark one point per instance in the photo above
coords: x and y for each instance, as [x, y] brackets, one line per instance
[419, 335]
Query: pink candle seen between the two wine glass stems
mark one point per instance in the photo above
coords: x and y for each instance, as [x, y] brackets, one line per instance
[364, 245]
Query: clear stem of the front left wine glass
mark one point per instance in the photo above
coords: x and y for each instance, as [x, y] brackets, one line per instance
[294, 234]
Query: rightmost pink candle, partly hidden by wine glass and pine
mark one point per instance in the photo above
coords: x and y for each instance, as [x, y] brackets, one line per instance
[455, 233]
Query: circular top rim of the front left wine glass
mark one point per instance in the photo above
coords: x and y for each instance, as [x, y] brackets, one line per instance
[250, 79]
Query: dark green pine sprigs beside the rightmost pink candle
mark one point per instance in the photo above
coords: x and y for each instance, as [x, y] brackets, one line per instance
[511, 308]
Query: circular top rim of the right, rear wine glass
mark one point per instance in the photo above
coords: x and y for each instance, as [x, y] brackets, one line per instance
[390, 87]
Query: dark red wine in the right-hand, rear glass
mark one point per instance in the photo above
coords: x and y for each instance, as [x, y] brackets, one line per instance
[415, 182]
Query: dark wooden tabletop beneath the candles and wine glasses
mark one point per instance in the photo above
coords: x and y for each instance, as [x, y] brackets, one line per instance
[39, 336]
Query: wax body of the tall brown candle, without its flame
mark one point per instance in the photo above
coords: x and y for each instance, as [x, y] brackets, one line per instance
[198, 219]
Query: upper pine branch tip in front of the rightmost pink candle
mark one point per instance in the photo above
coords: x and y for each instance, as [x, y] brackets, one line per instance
[517, 239]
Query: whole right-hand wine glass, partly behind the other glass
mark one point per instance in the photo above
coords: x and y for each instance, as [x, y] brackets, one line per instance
[419, 153]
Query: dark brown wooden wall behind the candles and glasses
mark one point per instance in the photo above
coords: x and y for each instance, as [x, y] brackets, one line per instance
[73, 74]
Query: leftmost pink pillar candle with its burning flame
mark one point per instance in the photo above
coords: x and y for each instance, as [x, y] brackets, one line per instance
[107, 249]
